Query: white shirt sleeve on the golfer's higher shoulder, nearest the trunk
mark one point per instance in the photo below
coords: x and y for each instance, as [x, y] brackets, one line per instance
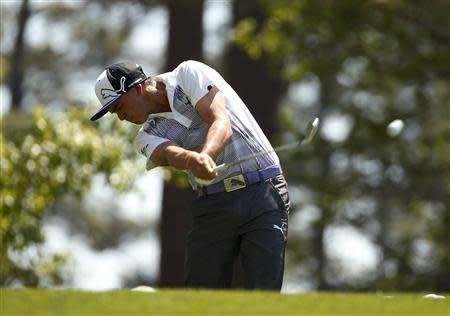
[194, 78]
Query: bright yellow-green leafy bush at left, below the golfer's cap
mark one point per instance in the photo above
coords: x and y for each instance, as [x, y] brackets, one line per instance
[42, 163]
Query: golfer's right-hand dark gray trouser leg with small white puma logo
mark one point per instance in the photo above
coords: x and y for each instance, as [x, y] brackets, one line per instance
[264, 237]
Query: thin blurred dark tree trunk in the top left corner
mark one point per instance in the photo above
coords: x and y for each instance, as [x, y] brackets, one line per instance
[17, 65]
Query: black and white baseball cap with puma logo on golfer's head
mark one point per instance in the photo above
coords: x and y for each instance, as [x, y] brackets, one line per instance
[115, 81]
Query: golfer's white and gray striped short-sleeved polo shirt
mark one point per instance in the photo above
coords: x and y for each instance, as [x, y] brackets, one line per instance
[185, 86]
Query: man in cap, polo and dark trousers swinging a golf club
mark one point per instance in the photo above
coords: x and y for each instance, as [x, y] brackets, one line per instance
[193, 120]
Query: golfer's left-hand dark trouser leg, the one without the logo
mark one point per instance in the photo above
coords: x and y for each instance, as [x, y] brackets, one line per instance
[212, 244]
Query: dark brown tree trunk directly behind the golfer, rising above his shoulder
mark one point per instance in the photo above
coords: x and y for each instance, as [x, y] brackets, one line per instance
[185, 42]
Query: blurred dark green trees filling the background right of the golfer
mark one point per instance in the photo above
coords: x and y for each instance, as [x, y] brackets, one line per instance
[375, 61]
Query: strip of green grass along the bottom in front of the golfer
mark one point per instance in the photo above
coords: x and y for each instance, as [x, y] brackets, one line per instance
[194, 302]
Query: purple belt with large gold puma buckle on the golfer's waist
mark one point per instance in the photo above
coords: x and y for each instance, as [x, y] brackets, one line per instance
[240, 181]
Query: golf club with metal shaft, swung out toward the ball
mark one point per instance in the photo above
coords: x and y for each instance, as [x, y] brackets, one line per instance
[310, 132]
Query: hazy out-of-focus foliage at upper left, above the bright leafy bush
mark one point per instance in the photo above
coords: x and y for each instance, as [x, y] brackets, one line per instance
[78, 41]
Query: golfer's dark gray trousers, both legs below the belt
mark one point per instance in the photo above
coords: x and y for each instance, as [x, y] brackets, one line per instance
[251, 222]
